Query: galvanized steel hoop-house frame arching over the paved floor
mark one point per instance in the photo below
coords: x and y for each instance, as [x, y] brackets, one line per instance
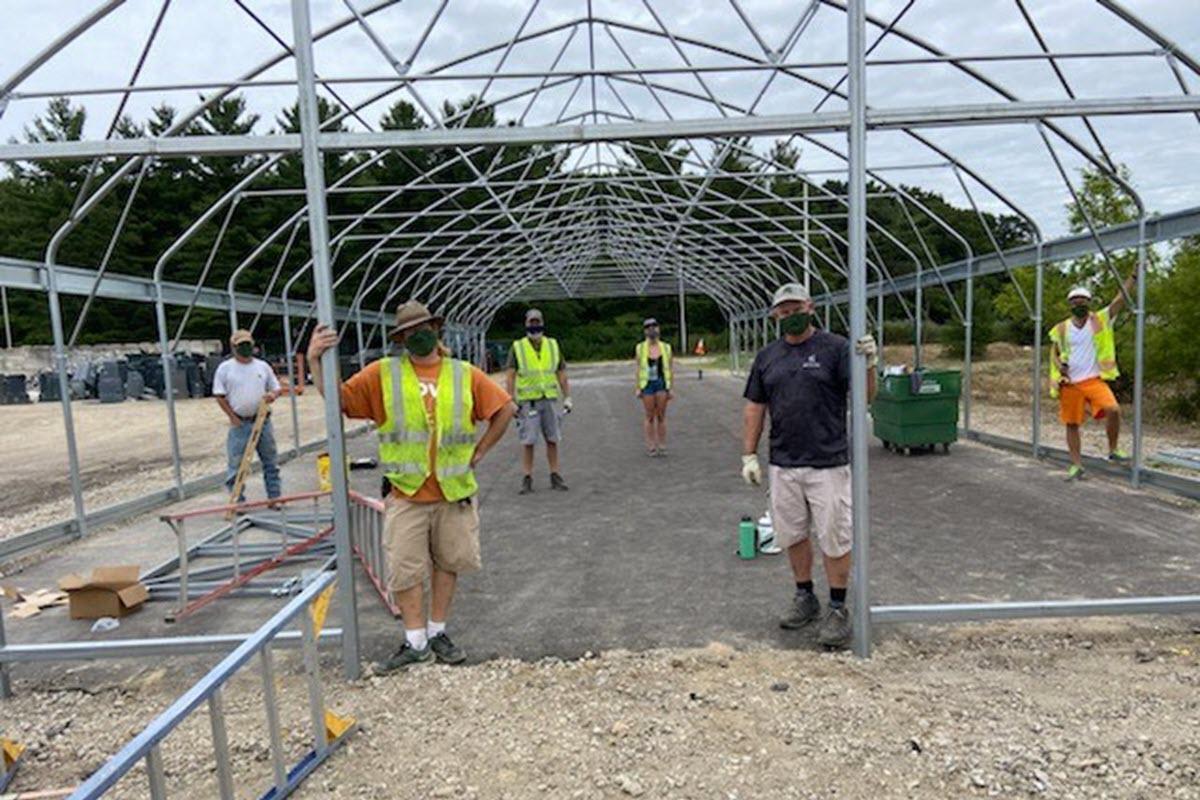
[581, 212]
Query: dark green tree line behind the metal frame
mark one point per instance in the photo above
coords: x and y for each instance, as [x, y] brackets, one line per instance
[38, 197]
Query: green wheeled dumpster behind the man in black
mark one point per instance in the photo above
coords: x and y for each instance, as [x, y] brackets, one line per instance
[919, 411]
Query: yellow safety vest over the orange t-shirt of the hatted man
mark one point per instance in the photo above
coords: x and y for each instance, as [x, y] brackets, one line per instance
[406, 453]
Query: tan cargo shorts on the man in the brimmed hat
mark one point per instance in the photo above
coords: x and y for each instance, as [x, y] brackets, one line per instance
[421, 536]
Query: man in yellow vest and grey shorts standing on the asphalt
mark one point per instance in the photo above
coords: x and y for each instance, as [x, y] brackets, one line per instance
[537, 377]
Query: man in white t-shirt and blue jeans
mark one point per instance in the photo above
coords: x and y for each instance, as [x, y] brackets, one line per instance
[241, 384]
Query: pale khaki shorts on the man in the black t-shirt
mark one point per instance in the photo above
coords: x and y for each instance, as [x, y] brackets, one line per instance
[808, 500]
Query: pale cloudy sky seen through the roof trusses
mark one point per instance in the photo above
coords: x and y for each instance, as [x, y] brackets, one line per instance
[206, 40]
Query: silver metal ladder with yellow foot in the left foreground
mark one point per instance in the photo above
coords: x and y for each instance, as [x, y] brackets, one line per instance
[147, 745]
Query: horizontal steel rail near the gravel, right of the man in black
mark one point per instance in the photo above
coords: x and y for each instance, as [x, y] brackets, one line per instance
[1034, 610]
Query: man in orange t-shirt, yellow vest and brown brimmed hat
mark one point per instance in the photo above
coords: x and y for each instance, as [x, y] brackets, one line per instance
[428, 407]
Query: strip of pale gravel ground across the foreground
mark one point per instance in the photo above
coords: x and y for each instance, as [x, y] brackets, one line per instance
[1096, 709]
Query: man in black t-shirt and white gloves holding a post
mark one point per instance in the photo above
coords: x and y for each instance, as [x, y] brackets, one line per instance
[803, 382]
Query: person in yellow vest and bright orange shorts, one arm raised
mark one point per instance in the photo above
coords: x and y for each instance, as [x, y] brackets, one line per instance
[1083, 359]
